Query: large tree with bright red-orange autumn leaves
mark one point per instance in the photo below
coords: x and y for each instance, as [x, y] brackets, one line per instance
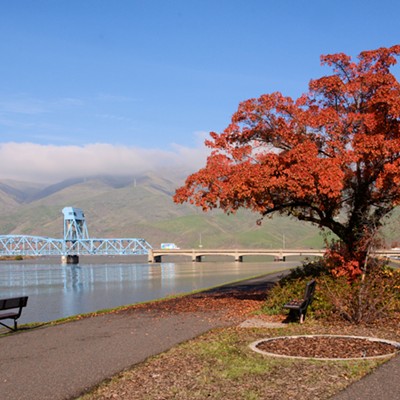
[331, 157]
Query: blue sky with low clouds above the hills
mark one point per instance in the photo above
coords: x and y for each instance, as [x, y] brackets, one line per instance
[148, 79]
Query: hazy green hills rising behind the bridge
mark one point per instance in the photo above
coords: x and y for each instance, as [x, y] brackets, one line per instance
[142, 206]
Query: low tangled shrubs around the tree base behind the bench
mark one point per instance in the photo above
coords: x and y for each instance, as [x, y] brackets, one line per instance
[365, 299]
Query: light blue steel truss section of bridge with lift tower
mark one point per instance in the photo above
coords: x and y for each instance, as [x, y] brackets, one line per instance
[76, 242]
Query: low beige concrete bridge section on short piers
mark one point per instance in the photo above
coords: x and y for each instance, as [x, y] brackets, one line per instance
[196, 255]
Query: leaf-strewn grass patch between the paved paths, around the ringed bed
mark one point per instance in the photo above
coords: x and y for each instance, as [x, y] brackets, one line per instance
[220, 365]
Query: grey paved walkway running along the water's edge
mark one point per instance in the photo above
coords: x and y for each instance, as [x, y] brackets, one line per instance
[63, 361]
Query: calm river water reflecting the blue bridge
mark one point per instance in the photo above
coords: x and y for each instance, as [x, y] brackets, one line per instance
[57, 291]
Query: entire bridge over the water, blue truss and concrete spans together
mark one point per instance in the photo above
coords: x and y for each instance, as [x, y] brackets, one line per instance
[77, 242]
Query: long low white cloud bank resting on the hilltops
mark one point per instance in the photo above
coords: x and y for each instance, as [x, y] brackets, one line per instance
[50, 163]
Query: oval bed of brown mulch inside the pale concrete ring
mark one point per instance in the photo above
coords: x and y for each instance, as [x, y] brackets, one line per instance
[327, 347]
